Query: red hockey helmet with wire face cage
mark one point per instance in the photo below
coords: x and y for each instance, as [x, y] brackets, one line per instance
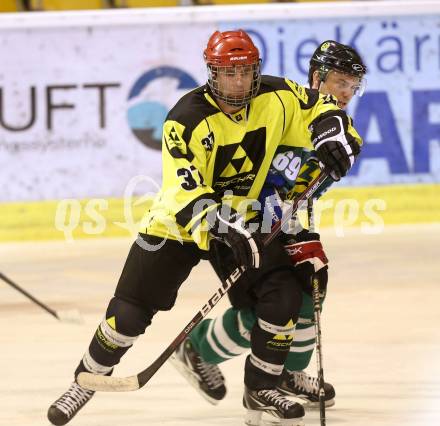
[229, 52]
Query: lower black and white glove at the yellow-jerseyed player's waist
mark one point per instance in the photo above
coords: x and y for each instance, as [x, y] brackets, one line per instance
[229, 227]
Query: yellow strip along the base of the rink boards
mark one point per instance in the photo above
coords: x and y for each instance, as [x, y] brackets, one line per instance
[366, 208]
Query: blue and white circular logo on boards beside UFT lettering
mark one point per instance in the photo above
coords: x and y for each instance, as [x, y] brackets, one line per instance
[150, 99]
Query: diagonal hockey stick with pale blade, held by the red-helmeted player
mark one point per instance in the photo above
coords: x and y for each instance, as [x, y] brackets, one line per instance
[123, 384]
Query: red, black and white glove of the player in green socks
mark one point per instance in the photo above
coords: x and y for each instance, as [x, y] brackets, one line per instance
[308, 257]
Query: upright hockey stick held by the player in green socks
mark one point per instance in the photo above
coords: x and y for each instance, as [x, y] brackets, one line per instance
[317, 318]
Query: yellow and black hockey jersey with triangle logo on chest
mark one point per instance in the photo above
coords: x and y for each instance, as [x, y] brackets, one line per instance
[209, 157]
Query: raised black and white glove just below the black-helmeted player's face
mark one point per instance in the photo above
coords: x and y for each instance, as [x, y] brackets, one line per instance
[335, 148]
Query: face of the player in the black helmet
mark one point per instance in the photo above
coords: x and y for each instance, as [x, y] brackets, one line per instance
[342, 86]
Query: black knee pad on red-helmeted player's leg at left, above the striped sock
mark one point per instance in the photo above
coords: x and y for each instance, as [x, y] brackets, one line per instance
[129, 319]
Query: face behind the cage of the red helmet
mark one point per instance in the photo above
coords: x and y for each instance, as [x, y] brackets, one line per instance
[235, 82]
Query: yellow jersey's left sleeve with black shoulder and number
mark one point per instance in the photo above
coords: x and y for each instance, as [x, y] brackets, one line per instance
[185, 196]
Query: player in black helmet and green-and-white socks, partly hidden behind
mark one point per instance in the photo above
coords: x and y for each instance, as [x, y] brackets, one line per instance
[338, 70]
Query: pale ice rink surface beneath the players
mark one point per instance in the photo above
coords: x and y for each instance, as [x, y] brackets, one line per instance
[381, 335]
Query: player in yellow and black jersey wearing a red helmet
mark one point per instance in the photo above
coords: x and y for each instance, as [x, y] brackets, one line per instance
[218, 144]
